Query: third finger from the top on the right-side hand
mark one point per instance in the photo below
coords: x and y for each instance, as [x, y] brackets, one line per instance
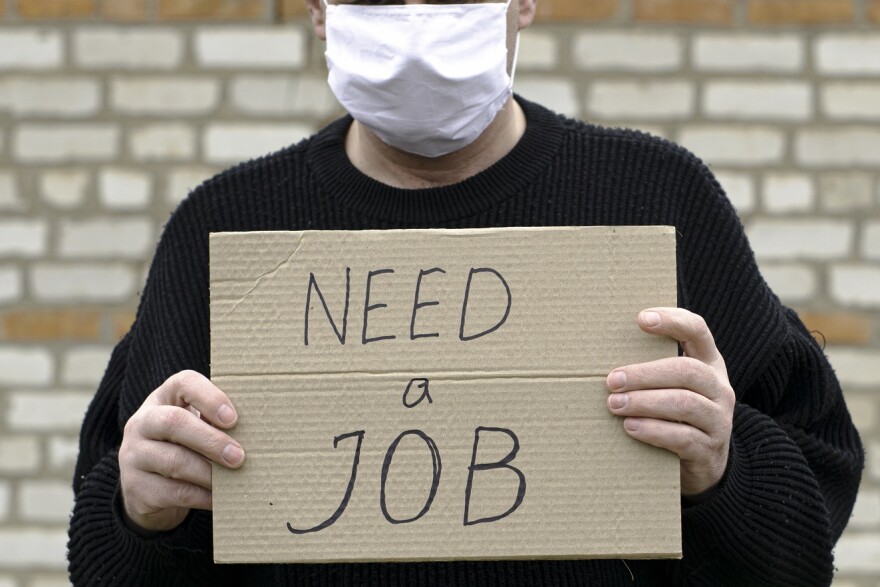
[673, 405]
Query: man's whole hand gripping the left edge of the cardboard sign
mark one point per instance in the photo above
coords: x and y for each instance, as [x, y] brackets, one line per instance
[167, 450]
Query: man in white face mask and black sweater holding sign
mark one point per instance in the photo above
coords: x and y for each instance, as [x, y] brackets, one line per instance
[770, 461]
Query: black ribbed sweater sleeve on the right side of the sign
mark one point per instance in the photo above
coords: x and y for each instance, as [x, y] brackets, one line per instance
[795, 457]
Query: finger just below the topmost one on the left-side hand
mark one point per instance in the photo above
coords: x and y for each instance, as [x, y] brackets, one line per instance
[180, 426]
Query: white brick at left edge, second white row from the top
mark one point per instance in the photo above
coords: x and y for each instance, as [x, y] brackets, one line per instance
[57, 96]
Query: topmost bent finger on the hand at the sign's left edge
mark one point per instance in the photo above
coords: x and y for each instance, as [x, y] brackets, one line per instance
[192, 389]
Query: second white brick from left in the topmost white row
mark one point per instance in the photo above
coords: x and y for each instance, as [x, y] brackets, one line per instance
[128, 48]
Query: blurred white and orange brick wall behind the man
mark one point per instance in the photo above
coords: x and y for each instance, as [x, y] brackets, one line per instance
[111, 110]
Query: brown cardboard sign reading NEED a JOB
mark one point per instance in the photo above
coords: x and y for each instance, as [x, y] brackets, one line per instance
[438, 394]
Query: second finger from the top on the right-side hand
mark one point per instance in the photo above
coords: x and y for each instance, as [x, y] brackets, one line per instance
[673, 372]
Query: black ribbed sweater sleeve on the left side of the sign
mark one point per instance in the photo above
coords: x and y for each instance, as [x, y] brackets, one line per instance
[169, 334]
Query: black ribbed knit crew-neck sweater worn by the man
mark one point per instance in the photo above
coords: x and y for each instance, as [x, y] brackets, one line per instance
[795, 458]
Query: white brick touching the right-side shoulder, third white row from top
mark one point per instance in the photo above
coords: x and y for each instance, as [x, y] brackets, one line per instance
[735, 145]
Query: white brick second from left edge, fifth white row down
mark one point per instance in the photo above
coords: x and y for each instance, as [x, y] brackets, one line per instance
[111, 238]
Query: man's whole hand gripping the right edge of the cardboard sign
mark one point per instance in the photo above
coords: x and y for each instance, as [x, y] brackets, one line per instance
[683, 404]
